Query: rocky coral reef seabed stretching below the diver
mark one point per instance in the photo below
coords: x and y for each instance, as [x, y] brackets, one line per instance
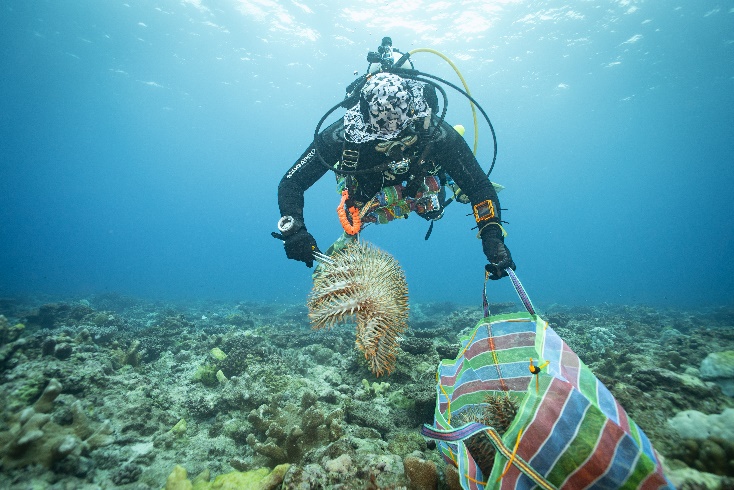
[137, 392]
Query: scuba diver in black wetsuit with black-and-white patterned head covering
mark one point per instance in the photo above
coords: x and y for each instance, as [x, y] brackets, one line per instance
[393, 153]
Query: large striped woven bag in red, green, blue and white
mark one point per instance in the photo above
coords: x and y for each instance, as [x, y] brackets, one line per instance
[518, 409]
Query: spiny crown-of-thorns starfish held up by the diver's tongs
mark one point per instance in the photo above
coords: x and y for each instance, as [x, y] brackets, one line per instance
[364, 281]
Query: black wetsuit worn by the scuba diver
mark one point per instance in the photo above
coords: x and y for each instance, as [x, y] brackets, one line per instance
[448, 155]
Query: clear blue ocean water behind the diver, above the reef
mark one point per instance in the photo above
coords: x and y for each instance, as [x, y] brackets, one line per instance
[141, 144]
